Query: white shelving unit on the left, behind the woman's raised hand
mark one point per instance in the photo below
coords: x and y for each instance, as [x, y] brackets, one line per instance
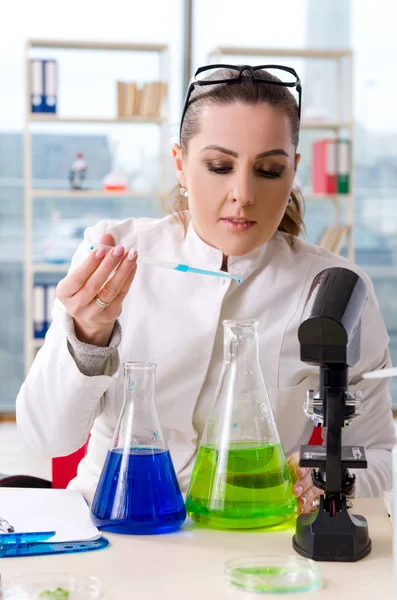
[30, 194]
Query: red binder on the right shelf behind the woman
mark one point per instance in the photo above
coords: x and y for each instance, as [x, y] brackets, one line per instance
[324, 177]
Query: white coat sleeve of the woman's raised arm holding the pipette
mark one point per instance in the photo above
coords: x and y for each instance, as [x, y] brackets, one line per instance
[57, 404]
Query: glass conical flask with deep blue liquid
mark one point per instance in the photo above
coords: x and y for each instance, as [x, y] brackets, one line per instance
[138, 491]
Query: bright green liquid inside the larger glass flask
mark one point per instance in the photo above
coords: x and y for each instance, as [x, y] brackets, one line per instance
[244, 487]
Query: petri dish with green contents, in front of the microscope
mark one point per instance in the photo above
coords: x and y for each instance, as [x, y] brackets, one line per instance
[273, 574]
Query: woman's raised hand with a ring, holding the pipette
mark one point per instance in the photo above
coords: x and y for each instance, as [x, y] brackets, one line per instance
[84, 290]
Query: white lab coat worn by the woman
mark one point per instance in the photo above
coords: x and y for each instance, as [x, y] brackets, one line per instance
[175, 320]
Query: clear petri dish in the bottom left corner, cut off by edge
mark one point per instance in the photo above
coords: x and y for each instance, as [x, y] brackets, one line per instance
[51, 586]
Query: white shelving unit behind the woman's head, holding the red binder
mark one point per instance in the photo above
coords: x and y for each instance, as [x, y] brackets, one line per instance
[336, 127]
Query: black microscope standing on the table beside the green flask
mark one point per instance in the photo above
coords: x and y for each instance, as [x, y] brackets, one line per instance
[329, 336]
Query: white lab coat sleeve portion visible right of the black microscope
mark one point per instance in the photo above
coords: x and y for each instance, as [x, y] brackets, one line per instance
[374, 429]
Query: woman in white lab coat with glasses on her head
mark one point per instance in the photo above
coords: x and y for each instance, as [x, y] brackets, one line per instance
[235, 211]
